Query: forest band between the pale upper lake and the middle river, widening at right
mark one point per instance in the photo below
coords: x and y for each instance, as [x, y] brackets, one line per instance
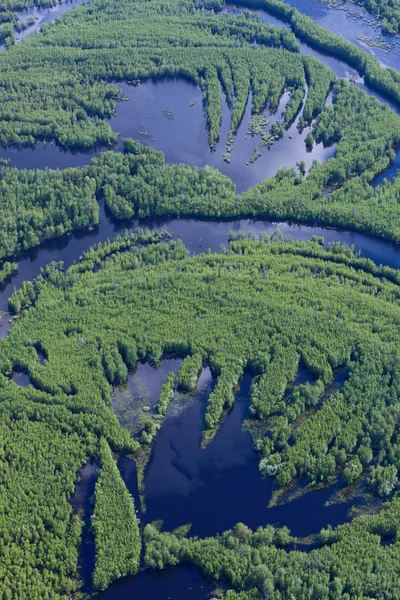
[38, 205]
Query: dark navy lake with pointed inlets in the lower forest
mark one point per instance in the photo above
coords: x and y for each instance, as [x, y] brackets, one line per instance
[214, 488]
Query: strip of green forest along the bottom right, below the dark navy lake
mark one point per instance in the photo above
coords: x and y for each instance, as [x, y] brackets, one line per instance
[352, 562]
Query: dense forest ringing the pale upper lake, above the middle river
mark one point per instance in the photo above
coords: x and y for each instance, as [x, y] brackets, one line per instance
[38, 205]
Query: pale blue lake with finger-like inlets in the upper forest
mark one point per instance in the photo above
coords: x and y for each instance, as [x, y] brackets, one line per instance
[168, 115]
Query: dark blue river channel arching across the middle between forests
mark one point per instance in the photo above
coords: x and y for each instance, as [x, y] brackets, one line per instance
[197, 235]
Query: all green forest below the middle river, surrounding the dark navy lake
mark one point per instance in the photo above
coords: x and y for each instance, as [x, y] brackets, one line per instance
[264, 307]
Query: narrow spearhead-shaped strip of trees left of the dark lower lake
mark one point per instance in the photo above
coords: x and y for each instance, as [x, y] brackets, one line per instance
[114, 525]
